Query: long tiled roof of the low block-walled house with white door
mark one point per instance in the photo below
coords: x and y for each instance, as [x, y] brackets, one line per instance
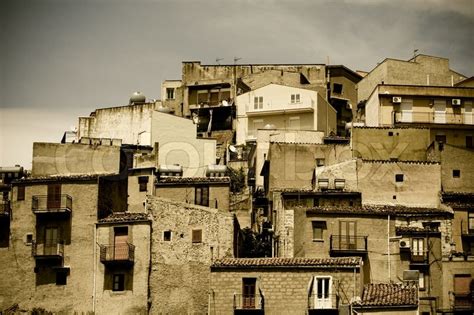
[344, 262]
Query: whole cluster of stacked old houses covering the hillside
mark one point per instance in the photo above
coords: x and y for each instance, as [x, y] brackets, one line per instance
[253, 189]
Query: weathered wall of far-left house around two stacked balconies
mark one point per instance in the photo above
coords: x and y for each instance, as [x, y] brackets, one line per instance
[18, 281]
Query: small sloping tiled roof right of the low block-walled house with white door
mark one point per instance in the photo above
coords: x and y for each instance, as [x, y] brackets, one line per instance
[389, 295]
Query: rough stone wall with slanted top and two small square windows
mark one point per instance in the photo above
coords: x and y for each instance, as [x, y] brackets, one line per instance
[180, 273]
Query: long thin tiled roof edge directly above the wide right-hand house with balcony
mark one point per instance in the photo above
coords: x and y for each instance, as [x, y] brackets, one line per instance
[380, 210]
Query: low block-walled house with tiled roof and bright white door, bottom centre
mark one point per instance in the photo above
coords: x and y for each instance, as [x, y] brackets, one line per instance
[284, 285]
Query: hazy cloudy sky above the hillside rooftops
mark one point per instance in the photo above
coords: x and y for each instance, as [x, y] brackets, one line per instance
[61, 59]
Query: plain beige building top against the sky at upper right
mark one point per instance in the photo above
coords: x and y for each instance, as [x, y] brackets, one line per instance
[422, 70]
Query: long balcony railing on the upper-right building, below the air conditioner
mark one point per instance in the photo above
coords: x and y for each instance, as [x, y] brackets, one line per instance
[433, 118]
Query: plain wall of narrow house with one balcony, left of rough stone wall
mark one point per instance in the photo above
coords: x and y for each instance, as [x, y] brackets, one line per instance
[134, 299]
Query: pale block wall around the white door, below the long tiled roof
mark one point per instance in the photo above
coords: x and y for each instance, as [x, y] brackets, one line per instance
[285, 290]
